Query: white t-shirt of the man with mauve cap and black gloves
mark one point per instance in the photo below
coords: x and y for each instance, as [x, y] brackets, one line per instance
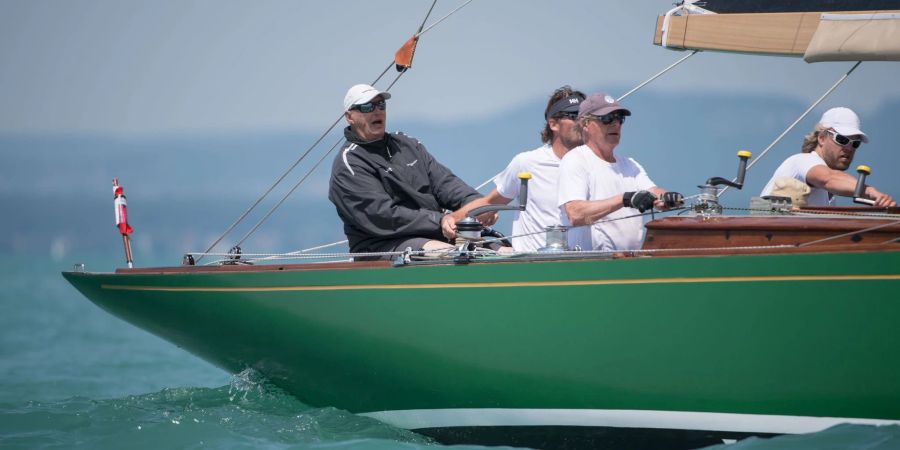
[584, 176]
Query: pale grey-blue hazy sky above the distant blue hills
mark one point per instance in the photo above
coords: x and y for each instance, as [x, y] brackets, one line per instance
[144, 67]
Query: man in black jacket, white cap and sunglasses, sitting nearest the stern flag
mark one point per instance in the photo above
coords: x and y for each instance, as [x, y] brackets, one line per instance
[388, 190]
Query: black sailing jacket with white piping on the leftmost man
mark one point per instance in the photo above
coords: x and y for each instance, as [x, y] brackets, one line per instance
[391, 190]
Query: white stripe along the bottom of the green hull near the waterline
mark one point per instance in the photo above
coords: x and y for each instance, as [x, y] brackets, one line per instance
[620, 418]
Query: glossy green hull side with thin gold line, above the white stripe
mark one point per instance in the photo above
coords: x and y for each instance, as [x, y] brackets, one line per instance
[805, 335]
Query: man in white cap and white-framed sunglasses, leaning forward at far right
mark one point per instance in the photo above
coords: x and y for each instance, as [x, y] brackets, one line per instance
[815, 175]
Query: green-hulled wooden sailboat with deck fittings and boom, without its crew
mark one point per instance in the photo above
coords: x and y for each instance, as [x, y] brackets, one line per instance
[720, 327]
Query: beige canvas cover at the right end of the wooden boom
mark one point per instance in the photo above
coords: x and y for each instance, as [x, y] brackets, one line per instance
[856, 37]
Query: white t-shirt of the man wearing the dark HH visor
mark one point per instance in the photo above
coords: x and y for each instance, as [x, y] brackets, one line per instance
[541, 210]
